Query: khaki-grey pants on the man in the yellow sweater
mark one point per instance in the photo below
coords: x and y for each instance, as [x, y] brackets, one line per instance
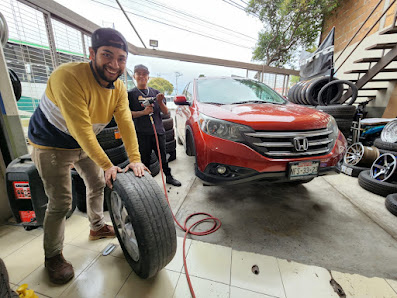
[54, 169]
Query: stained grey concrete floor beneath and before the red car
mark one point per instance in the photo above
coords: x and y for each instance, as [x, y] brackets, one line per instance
[330, 222]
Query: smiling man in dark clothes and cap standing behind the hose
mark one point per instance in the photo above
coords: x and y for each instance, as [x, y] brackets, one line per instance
[143, 125]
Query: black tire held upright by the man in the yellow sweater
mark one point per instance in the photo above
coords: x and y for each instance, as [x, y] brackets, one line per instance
[149, 217]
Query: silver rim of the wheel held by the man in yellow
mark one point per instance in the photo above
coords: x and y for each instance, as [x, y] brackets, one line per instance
[124, 226]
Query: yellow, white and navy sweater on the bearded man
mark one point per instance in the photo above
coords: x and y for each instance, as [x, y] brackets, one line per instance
[75, 107]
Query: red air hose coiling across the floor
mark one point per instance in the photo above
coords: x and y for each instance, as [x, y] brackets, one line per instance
[215, 227]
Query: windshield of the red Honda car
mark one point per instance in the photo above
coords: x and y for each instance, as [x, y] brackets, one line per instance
[236, 91]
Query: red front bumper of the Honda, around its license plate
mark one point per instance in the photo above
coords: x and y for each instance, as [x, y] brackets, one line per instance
[244, 164]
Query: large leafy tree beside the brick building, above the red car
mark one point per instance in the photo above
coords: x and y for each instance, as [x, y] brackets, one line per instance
[288, 25]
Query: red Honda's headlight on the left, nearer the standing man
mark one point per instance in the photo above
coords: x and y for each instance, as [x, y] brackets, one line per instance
[223, 129]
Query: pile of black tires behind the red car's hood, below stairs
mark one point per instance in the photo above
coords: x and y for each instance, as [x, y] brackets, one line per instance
[326, 97]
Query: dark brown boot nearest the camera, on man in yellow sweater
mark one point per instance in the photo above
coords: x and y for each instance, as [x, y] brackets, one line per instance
[59, 270]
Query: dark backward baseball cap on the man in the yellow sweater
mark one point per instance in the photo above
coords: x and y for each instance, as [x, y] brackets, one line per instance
[108, 37]
